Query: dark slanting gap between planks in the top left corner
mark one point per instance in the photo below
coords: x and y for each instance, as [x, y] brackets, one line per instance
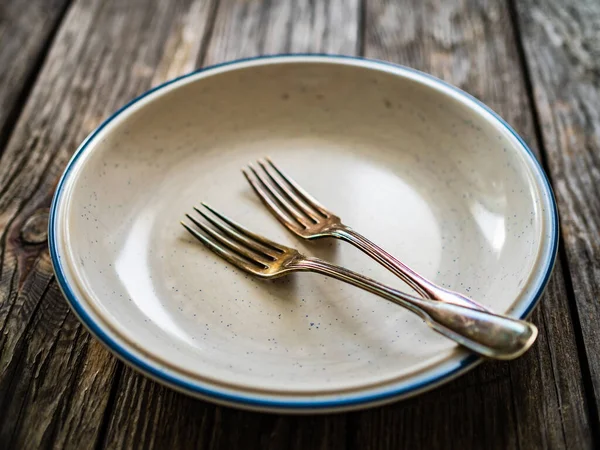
[15, 112]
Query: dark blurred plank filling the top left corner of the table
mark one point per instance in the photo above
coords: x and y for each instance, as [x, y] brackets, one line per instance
[26, 31]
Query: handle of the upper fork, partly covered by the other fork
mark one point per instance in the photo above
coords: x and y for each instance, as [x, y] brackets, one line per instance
[419, 283]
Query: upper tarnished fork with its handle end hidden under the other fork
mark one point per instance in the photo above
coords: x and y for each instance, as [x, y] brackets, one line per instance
[304, 216]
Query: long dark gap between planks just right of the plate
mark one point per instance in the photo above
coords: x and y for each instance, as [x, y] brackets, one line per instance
[586, 374]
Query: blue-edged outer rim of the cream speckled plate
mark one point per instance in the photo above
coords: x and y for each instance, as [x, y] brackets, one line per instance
[345, 400]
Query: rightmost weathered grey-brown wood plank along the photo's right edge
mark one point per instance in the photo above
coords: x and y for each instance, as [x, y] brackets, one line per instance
[561, 41]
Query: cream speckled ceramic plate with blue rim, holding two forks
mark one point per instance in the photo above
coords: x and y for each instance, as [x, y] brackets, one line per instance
[423, 169]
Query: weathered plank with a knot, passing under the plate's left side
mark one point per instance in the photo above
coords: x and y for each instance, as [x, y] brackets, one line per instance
[54, 379]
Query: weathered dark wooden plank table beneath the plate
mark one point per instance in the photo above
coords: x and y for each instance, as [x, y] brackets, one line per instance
[66, 65]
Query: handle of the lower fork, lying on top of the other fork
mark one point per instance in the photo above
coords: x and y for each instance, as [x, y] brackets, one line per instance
[488, 334]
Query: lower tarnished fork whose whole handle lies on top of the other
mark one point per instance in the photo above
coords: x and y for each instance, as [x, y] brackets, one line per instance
[488, 334]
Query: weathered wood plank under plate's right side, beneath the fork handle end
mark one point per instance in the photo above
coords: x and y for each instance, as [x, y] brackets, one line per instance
[538, 400]
